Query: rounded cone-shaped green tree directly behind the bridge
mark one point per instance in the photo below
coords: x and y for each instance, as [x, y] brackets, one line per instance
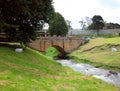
[58, 25]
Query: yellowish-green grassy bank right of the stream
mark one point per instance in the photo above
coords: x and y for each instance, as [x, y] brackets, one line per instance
[98, 52]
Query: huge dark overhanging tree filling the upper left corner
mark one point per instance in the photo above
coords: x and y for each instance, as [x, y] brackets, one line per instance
[20, 18]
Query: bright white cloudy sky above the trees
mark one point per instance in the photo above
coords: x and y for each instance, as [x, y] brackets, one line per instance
[76, 10]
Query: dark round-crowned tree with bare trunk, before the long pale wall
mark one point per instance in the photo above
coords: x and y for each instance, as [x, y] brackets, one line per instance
[98, 23]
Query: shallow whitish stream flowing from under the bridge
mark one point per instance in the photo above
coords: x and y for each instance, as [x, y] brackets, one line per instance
[86, 69]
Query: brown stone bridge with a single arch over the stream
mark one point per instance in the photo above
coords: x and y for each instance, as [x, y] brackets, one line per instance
[62, 44]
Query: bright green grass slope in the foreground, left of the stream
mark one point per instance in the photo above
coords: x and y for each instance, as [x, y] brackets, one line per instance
[32, 71]
